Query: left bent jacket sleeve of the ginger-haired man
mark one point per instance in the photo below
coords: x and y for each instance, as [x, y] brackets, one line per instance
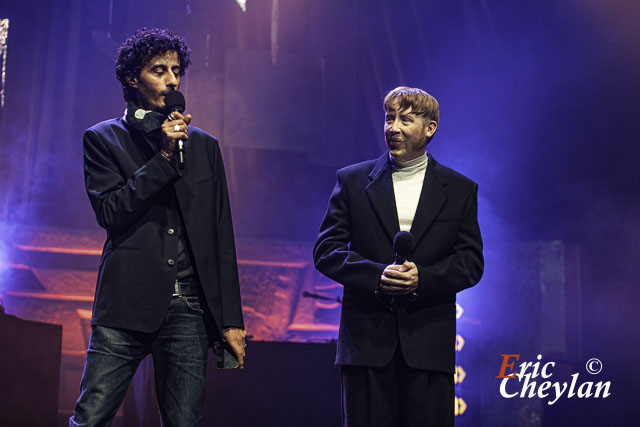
[332, 255]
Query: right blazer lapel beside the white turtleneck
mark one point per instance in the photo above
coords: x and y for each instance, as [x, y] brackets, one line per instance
[432, 199]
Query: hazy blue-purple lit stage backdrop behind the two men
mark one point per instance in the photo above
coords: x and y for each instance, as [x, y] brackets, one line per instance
[539, 104]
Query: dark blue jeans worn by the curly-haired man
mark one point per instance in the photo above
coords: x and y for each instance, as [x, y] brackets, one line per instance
[179, 349]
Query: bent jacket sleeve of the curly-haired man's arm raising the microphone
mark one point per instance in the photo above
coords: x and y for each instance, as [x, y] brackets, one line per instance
[116, 200]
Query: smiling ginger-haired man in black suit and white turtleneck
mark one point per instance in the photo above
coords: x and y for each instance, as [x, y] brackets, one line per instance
[398, 323]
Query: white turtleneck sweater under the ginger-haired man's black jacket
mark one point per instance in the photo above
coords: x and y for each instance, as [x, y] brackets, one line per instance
[408, 178]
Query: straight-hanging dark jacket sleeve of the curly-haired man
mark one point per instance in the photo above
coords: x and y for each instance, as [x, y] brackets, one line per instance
[226, 248]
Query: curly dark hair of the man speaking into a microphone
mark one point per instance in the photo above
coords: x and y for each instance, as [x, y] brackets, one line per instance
[144, 44]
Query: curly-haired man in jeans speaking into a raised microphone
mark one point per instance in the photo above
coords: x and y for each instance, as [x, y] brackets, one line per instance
[168, 277]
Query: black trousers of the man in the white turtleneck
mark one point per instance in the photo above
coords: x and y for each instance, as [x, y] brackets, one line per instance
[396, 396]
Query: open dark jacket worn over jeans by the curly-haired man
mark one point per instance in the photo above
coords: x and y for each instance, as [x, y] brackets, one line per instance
[129, 186]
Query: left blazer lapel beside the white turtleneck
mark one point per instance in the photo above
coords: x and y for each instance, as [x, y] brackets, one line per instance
[381, 196]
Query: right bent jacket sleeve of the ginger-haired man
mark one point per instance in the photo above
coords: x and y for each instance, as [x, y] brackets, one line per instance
[463, 268]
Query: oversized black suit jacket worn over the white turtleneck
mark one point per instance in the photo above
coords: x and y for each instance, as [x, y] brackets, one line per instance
[355, 244]
